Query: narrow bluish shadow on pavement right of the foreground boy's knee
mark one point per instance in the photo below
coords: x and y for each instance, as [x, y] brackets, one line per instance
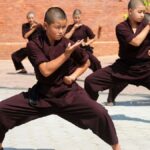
[124, 117]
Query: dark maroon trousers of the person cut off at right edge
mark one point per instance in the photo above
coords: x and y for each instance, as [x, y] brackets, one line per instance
[102, 79]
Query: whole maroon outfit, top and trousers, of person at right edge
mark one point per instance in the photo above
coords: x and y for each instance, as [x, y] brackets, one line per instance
[133, 66]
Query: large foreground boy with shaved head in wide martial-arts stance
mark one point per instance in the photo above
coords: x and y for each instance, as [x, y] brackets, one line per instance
[57, 63]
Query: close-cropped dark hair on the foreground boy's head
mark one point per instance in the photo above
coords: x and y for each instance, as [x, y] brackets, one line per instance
[54, 13]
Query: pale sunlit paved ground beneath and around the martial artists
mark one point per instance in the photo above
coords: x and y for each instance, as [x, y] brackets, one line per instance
[131, 117]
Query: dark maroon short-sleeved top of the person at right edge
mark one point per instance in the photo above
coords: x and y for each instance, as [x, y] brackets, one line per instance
[134, 62]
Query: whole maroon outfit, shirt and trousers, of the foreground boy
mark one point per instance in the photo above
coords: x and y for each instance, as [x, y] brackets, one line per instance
[70, 102]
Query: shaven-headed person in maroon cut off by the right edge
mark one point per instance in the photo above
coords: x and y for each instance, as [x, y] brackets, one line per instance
[133, 66]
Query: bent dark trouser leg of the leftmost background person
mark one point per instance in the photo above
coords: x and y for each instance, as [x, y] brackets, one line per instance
[18, 56]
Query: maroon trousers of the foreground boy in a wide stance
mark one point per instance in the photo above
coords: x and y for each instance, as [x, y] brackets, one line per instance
[75, 106]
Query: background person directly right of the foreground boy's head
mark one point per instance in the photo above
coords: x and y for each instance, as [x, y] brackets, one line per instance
[78, 31]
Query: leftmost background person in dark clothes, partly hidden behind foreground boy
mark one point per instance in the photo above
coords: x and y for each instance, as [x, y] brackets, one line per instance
[30, 30]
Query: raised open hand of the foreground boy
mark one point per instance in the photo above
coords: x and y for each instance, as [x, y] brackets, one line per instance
[70, 48]
